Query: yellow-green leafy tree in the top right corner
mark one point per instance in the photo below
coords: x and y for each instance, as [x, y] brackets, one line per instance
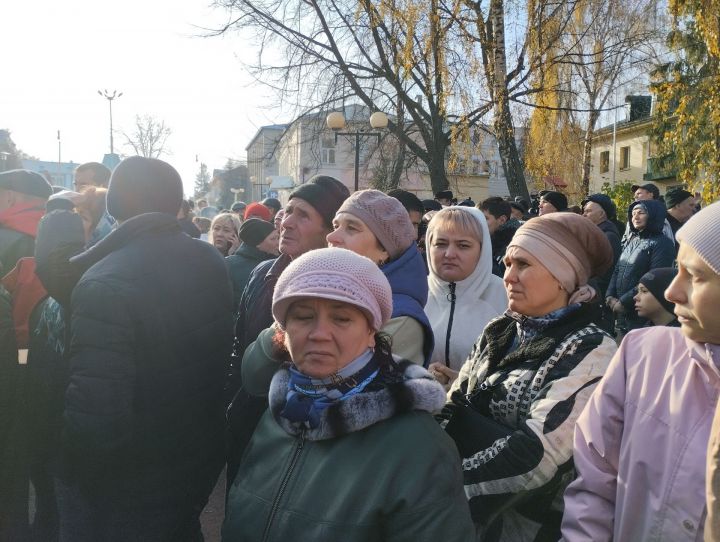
[687, 115]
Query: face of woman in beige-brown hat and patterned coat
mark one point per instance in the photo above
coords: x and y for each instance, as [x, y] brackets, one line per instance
[531, 289]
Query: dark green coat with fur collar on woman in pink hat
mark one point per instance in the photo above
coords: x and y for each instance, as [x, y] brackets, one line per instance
[378, 468]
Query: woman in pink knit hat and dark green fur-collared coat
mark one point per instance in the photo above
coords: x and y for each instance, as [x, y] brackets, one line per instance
[348, 449]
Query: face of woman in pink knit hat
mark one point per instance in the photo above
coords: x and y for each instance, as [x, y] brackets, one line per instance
[323, 336]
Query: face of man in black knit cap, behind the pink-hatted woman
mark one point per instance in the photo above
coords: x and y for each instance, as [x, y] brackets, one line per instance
[303, 229]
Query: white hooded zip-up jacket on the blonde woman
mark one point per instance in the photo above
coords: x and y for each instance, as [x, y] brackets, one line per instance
[478, 299]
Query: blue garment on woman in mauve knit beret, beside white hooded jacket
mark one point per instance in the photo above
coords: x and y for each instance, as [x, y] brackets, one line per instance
[408, 281]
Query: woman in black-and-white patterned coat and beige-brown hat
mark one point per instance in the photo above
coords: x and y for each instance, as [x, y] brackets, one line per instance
[513, 407]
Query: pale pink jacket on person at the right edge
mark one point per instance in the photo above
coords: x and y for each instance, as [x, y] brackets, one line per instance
[641, 442]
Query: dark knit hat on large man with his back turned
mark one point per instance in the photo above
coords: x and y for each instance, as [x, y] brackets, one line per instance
[143, 185]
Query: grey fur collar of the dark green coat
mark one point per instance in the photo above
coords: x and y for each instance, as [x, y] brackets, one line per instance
[417, 390]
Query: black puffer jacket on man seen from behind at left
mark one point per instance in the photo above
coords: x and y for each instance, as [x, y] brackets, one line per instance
[151, 332]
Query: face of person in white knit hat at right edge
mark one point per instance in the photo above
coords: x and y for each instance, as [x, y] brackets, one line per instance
[696, 294]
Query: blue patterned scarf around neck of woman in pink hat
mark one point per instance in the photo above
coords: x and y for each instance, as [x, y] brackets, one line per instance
[307, 397]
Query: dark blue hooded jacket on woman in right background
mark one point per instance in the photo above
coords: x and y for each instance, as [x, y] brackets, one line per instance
[644, 250]
